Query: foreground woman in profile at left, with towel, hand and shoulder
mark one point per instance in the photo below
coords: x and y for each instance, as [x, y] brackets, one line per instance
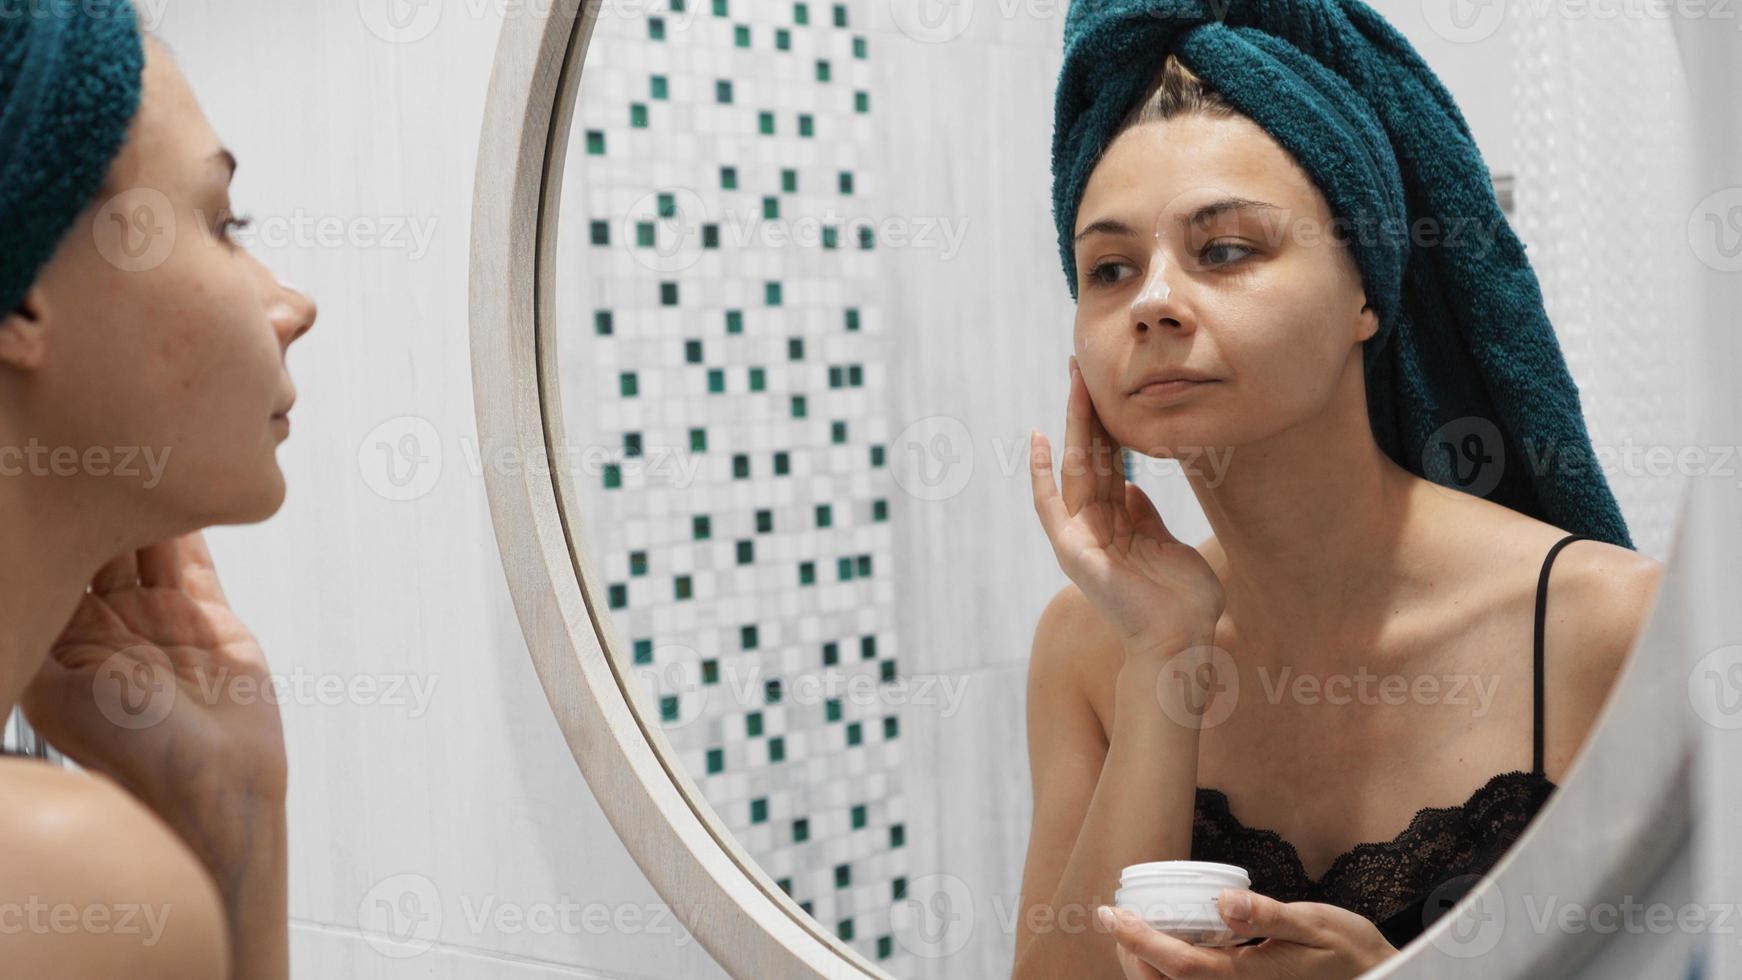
[144, 394]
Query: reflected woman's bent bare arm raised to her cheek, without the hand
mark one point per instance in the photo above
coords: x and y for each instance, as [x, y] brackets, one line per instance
[1102, 803]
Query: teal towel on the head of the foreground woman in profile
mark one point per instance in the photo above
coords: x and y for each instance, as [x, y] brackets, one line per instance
[69, 90]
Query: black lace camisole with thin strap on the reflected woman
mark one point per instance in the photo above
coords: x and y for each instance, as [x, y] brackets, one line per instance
[1407, 883]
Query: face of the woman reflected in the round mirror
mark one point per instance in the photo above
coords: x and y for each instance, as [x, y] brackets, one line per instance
[1222, 262]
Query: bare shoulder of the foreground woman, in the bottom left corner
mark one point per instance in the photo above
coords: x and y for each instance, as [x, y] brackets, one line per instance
[100, 885]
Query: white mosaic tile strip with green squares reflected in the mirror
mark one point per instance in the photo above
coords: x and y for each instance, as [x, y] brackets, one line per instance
[720, 340]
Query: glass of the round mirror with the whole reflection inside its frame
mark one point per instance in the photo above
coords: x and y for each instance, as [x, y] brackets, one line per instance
[1340, 520]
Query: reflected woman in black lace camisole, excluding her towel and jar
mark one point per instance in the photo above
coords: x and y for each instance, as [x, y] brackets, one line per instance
[1166, 709]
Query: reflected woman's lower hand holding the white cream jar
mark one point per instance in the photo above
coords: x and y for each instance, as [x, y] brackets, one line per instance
[1304, 941]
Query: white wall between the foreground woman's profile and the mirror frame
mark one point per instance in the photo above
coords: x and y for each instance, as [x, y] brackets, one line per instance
[476, 798]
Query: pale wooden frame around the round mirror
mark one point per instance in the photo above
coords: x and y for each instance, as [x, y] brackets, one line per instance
[1623, 812]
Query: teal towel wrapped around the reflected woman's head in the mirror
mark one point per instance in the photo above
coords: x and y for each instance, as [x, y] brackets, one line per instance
[1466, 379]
